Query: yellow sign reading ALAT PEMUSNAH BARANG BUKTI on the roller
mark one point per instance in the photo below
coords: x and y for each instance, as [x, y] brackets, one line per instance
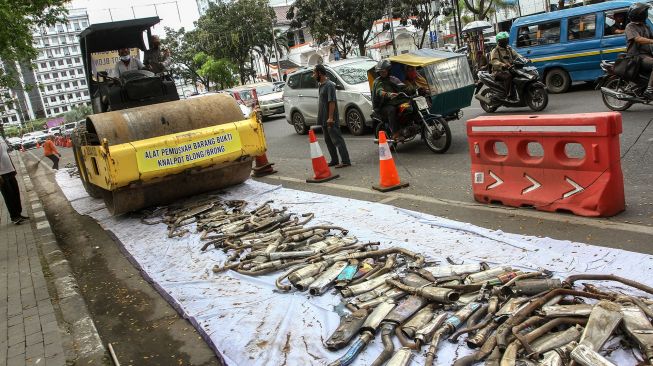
[187, 153]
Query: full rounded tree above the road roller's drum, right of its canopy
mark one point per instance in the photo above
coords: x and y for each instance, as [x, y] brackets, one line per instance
[232, 31]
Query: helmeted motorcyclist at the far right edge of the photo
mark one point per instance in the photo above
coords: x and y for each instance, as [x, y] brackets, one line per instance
[640, 39]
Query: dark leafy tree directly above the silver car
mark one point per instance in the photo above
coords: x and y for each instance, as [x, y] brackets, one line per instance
[345, 23]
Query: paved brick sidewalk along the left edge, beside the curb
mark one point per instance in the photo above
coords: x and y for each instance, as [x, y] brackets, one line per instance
[29, 332]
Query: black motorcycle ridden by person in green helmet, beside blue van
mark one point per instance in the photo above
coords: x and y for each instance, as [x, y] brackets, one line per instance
[526, 82]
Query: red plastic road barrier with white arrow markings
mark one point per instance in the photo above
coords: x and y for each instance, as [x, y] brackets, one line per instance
[567, 162]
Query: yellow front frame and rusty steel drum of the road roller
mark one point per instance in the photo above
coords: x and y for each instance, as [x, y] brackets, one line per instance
[156, 154]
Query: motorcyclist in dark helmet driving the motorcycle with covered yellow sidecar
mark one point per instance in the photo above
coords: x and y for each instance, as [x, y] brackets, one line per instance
[386, 89]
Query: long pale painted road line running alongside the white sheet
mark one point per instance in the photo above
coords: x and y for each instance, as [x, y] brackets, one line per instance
[540, 215]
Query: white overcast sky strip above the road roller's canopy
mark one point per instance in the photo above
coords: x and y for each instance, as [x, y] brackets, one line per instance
[98, 11]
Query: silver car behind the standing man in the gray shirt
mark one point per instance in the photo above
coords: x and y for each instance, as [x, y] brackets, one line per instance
[353, 93]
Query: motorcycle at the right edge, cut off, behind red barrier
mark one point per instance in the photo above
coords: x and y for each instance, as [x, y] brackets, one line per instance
[619, 94]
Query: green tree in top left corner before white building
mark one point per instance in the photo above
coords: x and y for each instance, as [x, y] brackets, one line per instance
[19, 19]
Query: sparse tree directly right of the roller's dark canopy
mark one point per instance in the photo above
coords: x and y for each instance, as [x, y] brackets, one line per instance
[183, 47]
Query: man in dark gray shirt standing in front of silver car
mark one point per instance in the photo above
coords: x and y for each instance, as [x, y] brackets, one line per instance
[327, 117]
